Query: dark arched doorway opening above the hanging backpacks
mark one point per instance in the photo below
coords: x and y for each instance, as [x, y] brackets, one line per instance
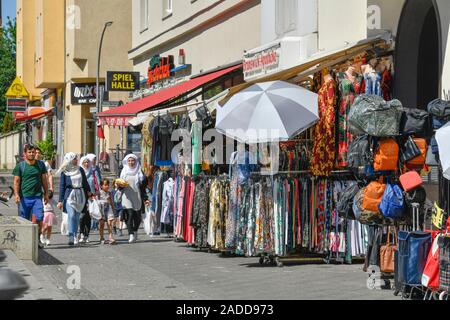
[418, 57]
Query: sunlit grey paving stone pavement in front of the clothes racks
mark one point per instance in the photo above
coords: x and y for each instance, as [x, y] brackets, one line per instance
[161, 269]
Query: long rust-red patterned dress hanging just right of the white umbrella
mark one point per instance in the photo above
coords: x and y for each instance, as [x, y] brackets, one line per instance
[324, 150]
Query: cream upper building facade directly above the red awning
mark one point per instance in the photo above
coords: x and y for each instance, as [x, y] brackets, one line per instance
[211, 33]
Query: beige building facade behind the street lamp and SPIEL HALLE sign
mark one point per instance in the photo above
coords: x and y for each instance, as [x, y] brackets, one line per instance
[85, 21]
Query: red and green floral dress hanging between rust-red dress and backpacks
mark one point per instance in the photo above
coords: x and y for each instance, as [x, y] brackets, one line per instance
[348, 91]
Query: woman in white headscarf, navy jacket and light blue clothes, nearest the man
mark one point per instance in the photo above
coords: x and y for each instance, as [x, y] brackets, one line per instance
[73, 193]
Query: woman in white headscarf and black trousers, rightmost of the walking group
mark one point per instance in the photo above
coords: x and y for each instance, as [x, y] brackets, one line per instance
[134, 197]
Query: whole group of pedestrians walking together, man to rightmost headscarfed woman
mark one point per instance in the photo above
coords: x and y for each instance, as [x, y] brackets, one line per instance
[81, 184]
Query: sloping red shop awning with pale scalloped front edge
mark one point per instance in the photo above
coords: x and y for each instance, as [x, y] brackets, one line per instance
[121, 115]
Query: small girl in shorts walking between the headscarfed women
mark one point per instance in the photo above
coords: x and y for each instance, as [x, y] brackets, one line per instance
[107, 210]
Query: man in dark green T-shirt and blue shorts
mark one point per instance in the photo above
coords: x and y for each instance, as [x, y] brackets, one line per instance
[31, 186]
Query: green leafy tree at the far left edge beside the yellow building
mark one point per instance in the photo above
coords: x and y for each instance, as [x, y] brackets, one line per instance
[7, 66]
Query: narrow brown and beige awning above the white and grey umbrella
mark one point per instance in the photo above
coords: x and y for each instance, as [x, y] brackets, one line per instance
[316, 62]
